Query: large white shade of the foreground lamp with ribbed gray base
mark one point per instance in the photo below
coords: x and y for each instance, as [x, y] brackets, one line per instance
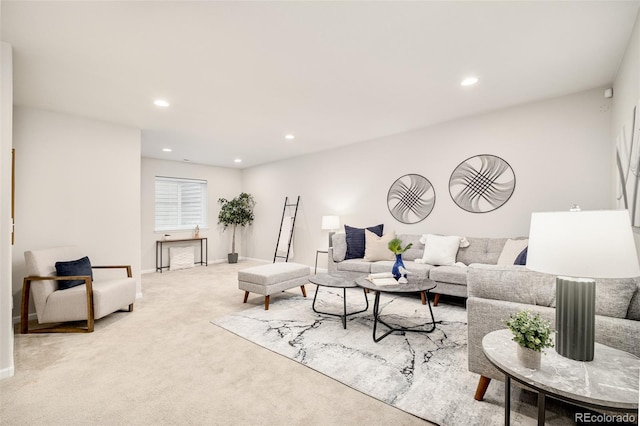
[588, 244]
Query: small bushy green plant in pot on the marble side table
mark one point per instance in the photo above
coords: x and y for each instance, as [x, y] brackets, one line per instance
[532, 333]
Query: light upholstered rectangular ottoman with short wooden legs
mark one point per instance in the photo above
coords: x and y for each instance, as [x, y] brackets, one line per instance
[272, 278]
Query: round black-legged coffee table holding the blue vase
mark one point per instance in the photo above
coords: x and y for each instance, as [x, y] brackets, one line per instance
[422, 286]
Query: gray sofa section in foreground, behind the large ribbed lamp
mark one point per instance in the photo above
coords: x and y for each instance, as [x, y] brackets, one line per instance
[495, 292]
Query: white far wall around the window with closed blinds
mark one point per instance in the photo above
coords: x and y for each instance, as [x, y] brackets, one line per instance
[221, 182]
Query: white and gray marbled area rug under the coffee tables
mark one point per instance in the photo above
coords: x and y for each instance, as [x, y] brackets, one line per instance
[423, 374]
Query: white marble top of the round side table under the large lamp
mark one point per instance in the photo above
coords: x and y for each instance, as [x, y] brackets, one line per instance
[609, 381]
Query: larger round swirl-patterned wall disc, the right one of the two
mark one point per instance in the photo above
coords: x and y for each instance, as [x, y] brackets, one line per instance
[482, 183]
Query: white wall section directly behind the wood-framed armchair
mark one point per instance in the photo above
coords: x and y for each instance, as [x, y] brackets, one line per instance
[77, 183]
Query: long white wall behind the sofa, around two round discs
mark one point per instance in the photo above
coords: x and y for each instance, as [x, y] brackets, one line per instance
[559, 150]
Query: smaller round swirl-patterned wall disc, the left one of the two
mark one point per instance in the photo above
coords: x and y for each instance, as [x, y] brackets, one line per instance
[411, 198]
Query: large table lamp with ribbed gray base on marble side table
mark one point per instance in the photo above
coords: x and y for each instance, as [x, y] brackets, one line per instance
[579, 246]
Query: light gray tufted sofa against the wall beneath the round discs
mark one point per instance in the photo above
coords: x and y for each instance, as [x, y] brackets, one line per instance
[451, 280]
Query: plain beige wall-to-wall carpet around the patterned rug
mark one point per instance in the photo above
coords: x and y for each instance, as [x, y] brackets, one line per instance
[165, 364]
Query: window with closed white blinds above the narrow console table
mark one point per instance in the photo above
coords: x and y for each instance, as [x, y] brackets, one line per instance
[180, 203]
